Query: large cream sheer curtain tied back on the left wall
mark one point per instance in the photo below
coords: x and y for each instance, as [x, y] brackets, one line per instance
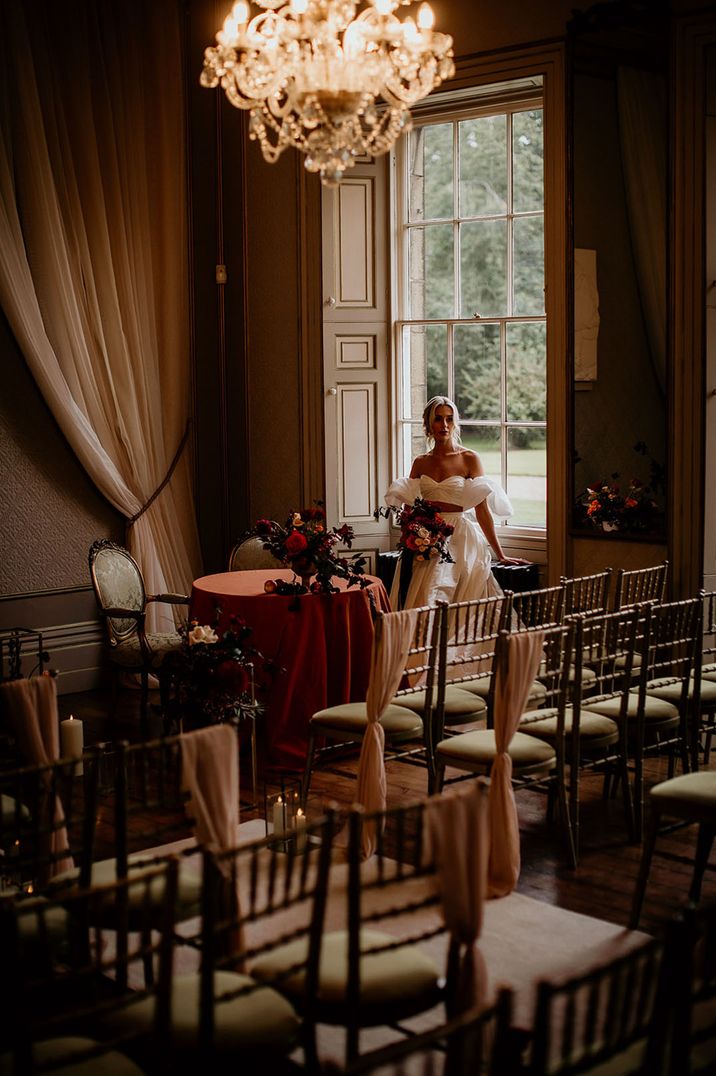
[94, 252]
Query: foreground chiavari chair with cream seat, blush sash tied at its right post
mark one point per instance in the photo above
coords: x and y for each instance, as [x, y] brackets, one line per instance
[376, 969]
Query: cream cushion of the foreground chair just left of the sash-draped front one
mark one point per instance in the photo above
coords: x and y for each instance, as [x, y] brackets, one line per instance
[260, 1018]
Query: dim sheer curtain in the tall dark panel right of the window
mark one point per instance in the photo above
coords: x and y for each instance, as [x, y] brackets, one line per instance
[642, 103]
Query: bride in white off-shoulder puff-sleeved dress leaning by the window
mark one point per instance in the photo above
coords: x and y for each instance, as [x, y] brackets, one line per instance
[454, 480]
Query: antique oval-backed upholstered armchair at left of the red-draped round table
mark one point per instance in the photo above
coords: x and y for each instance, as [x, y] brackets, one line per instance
[122, 601]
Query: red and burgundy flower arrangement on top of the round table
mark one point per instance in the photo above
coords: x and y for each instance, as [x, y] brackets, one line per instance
[306, 546]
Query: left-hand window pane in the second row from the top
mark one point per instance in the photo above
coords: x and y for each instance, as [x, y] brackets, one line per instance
[432, 274]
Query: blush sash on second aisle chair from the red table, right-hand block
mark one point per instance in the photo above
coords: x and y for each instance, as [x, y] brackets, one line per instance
[515, 674]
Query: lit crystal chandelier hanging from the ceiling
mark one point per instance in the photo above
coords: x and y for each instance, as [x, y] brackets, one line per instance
[317, 77]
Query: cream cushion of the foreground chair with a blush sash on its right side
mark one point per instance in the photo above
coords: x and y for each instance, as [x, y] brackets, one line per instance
[388, 975]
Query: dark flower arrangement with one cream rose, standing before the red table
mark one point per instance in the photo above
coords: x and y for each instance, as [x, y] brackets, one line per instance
[216, 676]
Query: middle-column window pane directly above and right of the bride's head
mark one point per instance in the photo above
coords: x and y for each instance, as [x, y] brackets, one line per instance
[478, 371]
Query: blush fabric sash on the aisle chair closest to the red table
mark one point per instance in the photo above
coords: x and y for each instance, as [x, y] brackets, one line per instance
[391, 644]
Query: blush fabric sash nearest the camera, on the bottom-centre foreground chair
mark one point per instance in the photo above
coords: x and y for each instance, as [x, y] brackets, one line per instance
[459, 843]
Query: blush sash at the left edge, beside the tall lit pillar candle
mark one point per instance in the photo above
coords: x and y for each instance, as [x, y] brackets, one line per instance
[32, 706]
